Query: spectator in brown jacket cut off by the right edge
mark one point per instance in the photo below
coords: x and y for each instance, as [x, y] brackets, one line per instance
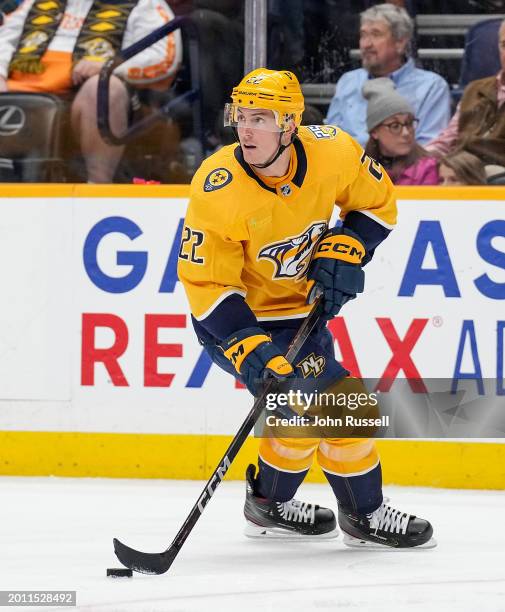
[478, 125]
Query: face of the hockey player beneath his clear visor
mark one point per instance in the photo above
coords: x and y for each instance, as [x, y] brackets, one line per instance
[258, 134]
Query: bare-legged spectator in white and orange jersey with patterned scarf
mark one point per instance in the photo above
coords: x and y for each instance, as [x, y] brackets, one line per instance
[60, 46]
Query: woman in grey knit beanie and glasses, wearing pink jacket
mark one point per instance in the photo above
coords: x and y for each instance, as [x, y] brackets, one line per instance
[391, 124]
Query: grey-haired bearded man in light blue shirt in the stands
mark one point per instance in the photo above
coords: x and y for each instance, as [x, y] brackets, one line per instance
[385, 40]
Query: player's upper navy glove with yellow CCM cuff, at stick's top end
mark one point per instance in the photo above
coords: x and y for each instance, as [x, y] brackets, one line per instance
[335, 270]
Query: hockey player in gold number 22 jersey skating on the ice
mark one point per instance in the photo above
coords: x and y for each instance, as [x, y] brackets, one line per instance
[251, 264]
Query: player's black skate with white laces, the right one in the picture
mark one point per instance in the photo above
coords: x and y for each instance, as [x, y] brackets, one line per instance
[385, 527]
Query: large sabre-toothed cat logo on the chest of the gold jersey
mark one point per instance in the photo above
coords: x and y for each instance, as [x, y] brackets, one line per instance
[291, 256]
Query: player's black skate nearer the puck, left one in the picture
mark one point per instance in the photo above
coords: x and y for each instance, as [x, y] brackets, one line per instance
[291, 519]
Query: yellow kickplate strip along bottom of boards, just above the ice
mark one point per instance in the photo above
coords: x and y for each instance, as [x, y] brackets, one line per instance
[466, 465]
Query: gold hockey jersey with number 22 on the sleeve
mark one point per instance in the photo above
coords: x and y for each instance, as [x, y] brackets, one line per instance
[253, 236]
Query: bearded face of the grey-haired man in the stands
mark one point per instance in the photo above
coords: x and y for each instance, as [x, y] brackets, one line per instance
[381, 54]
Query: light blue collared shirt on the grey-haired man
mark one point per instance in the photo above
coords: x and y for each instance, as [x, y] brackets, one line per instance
[426, 91]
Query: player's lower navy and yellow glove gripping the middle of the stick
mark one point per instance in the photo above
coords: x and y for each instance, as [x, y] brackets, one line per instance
[255, 357]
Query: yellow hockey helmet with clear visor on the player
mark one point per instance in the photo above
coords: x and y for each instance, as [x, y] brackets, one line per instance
[275, 90]
